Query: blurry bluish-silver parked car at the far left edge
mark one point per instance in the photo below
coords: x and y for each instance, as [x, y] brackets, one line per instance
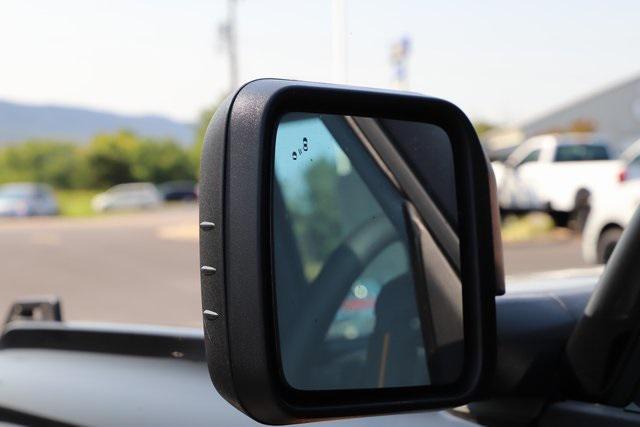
[27, 199]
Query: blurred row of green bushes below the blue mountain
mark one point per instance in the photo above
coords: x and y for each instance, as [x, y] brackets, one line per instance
[109, 159]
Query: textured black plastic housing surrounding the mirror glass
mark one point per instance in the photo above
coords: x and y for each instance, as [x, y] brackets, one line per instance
[236, 251]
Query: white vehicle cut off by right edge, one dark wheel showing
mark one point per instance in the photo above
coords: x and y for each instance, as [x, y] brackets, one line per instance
[611, 209]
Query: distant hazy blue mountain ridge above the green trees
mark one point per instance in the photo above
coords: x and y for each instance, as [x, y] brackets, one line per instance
[19, 122]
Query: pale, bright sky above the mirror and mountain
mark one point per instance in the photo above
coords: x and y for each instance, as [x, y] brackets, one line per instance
[500, 61]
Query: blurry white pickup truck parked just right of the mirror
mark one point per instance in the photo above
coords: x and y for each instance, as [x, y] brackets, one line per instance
[555, 173]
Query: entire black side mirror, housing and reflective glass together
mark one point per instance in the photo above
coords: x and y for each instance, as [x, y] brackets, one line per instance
[350, 252]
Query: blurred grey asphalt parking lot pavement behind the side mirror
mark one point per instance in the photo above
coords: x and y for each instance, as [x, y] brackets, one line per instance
[143, 268]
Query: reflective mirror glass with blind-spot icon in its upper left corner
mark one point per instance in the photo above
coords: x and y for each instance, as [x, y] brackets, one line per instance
[365, 253]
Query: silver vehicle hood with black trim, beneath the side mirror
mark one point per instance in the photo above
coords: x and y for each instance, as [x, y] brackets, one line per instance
[84, 384]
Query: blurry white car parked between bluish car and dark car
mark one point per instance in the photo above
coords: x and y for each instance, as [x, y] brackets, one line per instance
[136, 195]
